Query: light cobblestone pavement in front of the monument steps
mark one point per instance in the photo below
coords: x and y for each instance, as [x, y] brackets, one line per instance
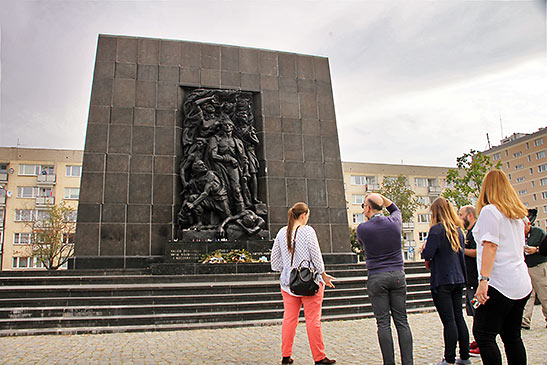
[350, 342]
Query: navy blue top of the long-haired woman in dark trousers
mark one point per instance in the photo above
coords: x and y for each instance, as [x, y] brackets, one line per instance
[447, 266]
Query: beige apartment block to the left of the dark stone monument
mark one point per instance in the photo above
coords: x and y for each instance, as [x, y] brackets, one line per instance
[30, 180]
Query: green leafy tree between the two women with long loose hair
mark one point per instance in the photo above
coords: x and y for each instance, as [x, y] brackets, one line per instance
[466, 179]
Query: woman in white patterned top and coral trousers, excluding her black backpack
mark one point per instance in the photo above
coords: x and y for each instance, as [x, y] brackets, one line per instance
[295, 243]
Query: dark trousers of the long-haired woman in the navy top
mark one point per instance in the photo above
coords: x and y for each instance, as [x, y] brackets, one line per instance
[448, 301]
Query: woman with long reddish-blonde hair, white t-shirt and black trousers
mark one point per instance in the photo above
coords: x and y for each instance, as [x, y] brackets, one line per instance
[504, 283]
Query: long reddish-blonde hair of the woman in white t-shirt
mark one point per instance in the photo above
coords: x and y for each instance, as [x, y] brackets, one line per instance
[497, 190]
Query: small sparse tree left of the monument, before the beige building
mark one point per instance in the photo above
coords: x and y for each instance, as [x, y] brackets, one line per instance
[52, 236]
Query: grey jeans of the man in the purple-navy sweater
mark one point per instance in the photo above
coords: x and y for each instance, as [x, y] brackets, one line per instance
[387, 293]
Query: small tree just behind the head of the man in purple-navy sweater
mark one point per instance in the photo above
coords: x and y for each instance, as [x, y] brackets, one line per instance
[398, 190]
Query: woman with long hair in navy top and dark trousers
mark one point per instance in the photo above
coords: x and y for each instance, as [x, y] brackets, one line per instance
[444, 249]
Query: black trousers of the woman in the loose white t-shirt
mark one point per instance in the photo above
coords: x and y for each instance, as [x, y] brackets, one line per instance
[503, 316]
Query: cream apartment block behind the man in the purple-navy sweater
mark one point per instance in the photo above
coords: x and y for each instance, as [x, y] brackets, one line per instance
[426, 181]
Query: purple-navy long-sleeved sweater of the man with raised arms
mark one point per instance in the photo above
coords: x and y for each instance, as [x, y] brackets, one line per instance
[380, 237]
